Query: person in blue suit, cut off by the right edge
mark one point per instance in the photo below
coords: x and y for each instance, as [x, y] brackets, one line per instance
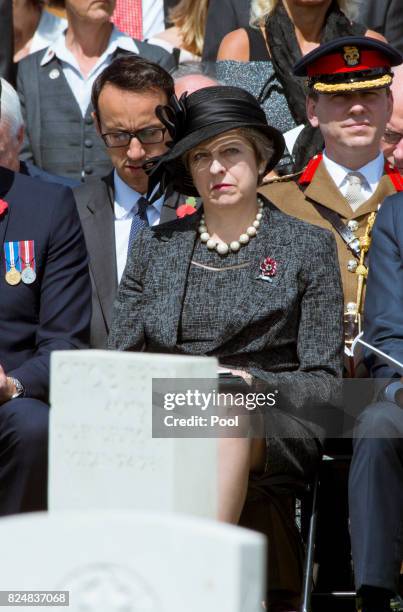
[376, 474]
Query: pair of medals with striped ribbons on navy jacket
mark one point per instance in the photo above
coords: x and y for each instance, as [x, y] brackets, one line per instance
[20, 262]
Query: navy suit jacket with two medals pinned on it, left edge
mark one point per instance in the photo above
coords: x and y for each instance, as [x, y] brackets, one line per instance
[53, 313]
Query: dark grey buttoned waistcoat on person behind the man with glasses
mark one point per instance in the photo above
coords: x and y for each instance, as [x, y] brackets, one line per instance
[58, 138]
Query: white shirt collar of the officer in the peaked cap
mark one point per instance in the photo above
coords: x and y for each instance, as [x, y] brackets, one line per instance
[372, 172]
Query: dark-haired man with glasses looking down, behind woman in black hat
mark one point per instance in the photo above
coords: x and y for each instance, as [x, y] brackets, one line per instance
[113, 208]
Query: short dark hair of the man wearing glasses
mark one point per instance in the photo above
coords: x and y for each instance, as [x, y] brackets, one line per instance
[135, 74]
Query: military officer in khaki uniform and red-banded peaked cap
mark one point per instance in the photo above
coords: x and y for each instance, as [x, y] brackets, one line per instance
[341, 189]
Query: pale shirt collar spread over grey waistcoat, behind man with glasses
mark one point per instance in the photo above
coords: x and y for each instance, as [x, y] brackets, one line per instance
[117, 40]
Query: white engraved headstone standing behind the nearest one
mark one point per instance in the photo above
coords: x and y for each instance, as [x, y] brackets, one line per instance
[101, 450]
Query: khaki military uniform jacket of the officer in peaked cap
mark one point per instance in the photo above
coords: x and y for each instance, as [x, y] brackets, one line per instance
[288, 197]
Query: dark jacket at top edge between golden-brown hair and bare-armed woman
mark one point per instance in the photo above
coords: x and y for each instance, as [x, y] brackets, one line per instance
[223, 16]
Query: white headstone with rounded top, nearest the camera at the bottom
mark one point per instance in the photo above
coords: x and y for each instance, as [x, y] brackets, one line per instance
[133, 562]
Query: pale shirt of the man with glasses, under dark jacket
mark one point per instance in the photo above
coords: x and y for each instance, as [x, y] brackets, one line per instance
[125, 207]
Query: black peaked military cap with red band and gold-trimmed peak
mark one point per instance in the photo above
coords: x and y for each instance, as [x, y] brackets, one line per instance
[349, 63]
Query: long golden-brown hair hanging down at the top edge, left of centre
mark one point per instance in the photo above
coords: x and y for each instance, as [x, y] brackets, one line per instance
[189, 16]
